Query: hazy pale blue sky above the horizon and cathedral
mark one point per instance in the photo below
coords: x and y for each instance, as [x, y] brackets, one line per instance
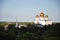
[25, 10]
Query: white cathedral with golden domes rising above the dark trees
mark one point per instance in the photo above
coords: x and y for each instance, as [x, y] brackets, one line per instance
[42, 19]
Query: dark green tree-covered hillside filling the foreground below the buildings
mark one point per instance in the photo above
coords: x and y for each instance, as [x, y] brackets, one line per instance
[50, 32]
